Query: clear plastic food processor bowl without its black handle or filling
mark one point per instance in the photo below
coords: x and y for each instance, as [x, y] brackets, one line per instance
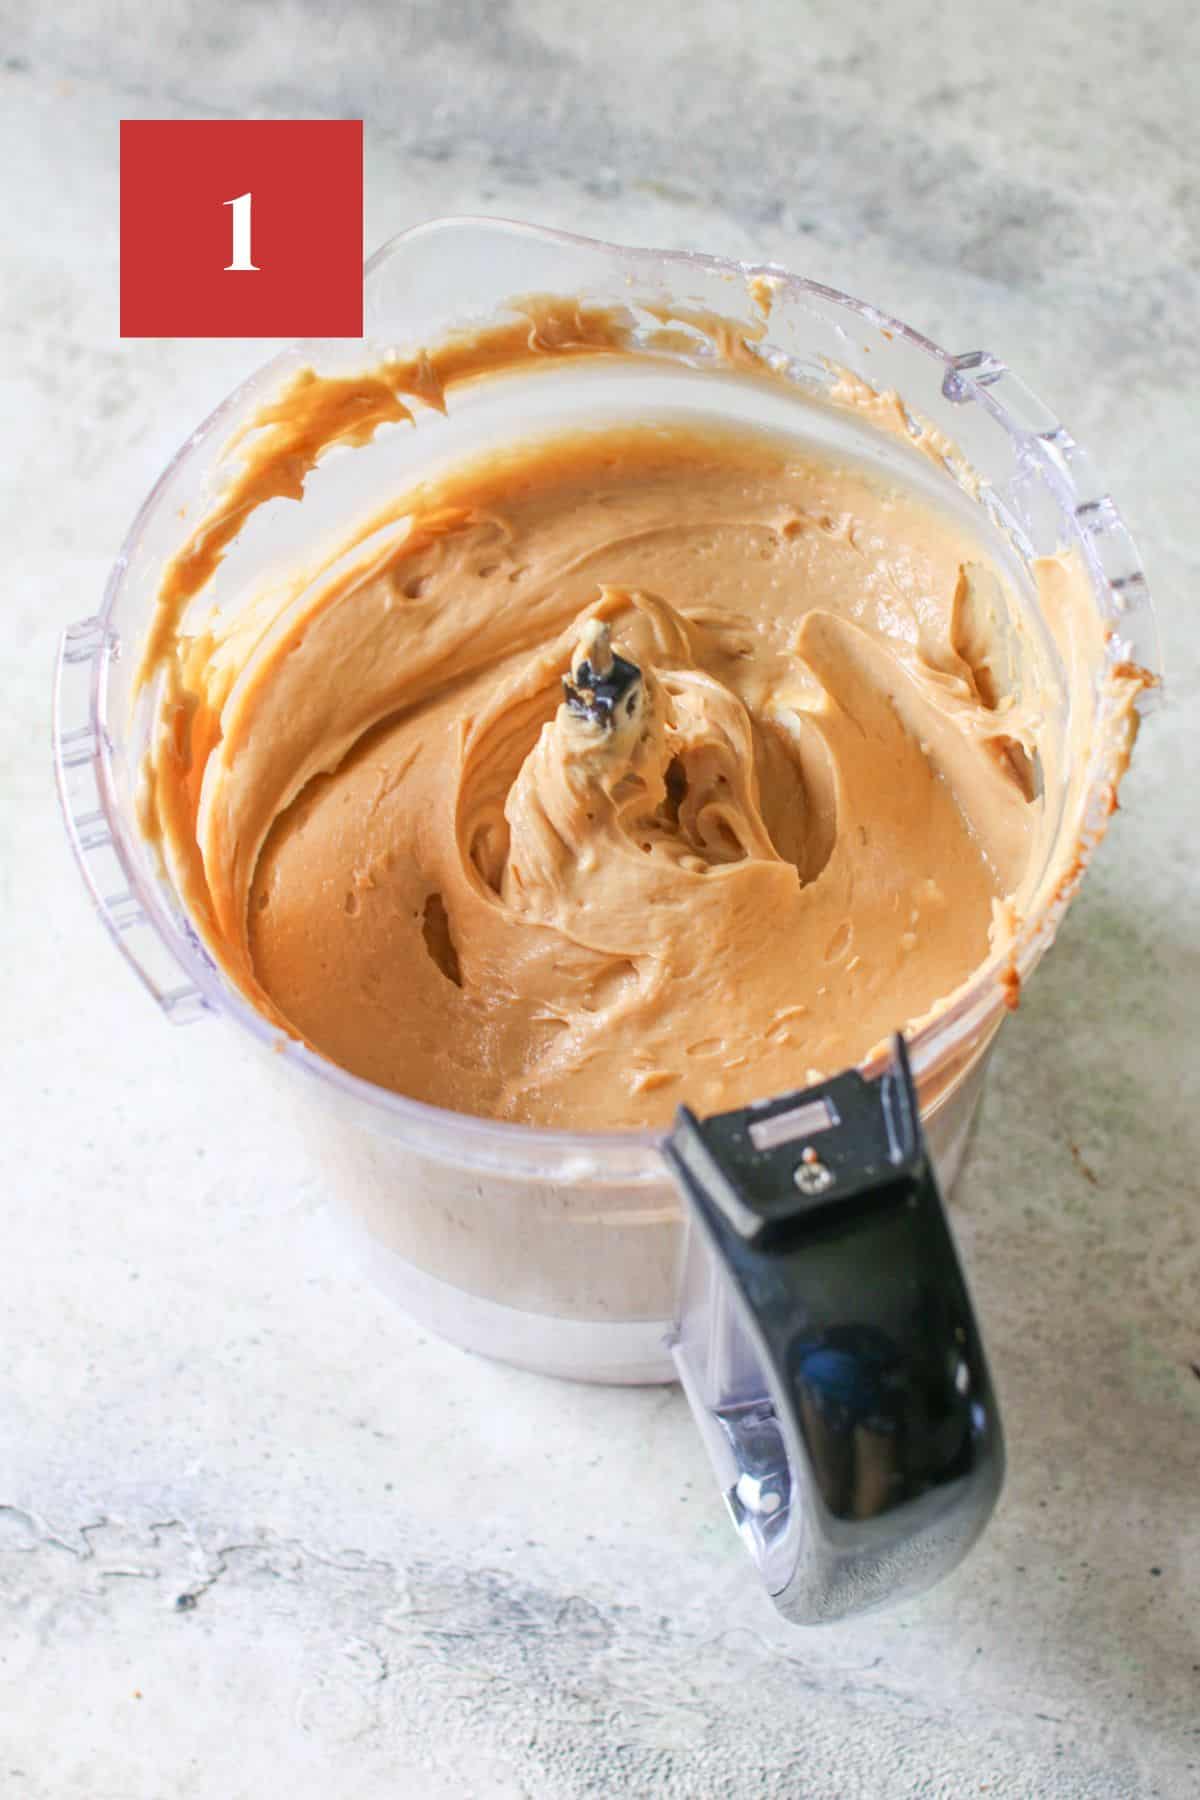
[546, 1248]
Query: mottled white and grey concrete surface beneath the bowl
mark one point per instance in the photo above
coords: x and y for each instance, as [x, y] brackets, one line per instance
[256, 1533]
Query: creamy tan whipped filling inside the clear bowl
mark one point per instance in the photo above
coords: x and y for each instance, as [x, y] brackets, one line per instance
[415, 854]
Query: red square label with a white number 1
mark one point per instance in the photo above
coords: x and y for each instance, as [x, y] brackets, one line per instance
[242, 228]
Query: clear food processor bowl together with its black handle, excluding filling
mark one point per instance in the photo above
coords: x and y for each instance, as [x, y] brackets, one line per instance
[791, 1263]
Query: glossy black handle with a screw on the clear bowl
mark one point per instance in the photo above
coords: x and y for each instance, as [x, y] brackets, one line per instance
[828, 1345]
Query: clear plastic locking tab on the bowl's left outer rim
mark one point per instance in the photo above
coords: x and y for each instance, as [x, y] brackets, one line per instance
[78, 750]
